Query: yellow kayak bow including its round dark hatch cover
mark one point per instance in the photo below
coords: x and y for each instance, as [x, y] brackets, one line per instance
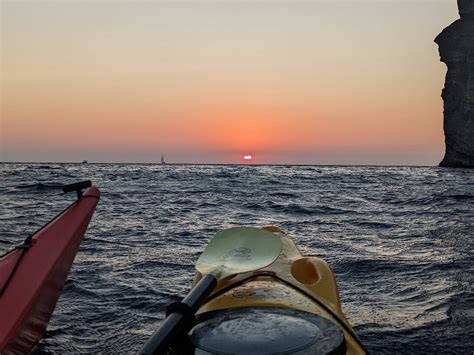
[290, 306]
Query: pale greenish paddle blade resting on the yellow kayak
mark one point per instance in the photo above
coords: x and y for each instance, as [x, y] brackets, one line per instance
[238, 250]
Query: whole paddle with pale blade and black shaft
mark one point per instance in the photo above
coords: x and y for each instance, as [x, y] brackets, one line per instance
[232, 251]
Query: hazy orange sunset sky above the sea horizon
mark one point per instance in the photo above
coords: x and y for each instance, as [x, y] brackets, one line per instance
[288, 82]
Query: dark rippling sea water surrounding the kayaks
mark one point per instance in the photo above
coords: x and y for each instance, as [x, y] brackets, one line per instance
[400, 241]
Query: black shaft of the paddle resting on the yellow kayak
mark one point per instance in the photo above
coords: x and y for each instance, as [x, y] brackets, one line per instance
[175, 323]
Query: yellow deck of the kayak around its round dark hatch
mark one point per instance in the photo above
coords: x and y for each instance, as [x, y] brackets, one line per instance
[292, 282]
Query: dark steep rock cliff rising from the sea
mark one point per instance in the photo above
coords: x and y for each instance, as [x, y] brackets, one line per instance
[456, 49]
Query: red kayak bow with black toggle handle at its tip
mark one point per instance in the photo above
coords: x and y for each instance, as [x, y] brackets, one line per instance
[33, 274]
